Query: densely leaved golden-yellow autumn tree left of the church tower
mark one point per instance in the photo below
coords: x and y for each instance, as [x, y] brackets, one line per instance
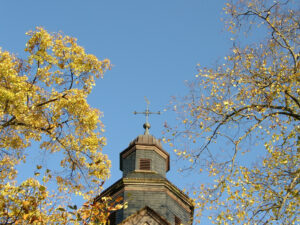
[43, 99]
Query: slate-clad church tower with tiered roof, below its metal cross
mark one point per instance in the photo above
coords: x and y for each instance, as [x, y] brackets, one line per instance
[151, 198]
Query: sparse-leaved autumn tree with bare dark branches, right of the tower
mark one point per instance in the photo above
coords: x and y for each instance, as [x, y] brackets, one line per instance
[239, 123]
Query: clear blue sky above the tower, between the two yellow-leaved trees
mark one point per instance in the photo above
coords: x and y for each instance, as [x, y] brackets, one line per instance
[154, 47]
